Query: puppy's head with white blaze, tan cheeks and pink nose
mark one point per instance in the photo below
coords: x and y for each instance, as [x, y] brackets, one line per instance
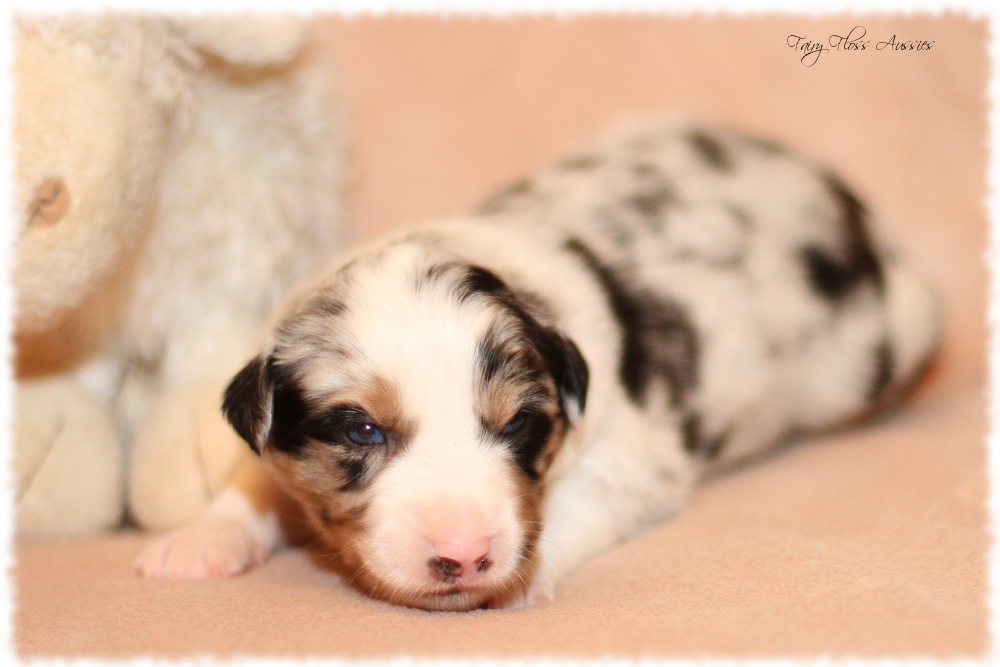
[413, 406]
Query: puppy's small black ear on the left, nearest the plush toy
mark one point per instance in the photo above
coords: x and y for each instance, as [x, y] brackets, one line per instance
[248, 400]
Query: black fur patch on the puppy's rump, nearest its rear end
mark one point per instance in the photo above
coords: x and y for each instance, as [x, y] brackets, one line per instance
[836, 277]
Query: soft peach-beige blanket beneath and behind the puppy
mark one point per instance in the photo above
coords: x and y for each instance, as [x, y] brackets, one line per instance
[870, 542]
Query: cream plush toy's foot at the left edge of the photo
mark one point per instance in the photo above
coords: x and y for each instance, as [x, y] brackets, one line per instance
[68, 463]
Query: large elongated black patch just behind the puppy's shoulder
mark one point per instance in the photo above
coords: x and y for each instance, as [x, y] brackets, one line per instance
[658, 339]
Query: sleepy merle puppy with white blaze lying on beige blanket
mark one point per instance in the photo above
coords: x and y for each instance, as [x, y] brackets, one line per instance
[466, 412]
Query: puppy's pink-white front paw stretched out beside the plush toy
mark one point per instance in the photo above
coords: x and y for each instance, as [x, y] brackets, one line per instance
[206, 548]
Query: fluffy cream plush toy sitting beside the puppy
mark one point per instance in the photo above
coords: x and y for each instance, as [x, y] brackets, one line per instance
[173, 177]
